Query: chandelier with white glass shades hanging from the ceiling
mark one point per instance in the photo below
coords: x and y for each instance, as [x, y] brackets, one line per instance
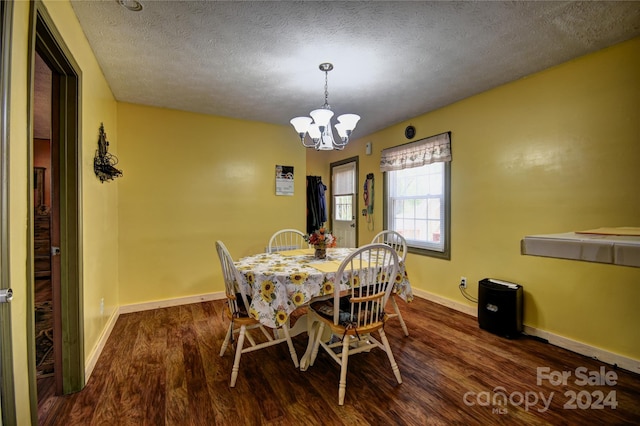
[319, 124]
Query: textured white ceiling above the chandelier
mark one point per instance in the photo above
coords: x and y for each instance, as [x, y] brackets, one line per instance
[392, 60]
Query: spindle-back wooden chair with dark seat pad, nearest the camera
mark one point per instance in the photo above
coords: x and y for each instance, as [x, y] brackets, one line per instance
[369, 274]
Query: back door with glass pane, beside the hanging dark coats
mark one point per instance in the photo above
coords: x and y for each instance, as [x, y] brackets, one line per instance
[344, 201]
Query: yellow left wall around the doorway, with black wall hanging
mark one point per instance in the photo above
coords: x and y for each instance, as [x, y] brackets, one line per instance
[99, 202]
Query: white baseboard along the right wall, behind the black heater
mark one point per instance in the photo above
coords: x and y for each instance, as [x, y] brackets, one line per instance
[607, 357]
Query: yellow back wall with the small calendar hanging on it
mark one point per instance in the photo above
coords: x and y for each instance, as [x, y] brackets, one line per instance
[189, 181]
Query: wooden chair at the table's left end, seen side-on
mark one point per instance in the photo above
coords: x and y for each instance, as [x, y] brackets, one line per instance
[241, 323]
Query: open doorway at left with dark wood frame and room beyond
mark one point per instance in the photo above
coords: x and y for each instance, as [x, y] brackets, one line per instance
[64, 251]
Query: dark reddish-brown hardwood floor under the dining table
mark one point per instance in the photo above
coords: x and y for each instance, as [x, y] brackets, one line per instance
[162, 367]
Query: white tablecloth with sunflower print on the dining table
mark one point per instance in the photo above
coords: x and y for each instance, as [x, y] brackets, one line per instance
[279, 283]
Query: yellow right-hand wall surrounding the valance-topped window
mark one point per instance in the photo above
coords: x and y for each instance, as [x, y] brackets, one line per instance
[554, 152]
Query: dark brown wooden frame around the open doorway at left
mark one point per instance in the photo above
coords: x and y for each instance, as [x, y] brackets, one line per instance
[66, 118]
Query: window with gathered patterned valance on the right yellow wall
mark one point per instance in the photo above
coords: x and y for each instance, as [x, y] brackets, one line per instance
[417, 194]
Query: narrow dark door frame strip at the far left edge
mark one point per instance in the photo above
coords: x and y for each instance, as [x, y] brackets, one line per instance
[7, 385]
